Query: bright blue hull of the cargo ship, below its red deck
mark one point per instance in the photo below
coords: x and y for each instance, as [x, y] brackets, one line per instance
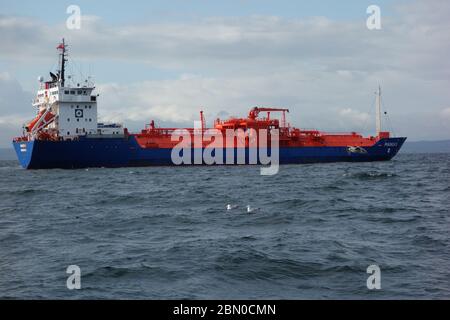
[125, 152]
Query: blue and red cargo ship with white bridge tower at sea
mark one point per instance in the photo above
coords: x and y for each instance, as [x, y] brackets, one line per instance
[66, 133]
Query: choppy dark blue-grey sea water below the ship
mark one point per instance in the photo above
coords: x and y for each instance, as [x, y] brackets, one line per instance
[164, 232]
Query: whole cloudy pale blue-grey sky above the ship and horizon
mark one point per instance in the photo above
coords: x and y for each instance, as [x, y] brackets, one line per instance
[167, 60]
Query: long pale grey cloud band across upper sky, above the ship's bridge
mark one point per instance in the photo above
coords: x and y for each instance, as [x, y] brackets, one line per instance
[408, 42]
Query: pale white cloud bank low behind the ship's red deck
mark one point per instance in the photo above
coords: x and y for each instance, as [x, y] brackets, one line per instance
[179, 101]
